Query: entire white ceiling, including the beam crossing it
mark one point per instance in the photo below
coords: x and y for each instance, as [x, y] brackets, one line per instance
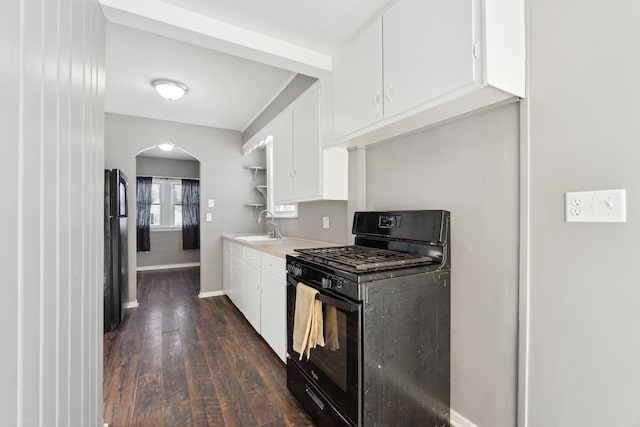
[234, 55]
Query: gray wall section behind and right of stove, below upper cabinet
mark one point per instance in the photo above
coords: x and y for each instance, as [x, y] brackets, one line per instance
[470, 167]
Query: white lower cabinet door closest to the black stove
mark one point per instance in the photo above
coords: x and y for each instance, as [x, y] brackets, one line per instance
[274, 304]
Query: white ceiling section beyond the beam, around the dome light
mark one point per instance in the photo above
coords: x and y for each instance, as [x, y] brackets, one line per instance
[224, 91]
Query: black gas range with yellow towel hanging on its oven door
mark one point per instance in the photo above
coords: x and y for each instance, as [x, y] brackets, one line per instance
[391, 293]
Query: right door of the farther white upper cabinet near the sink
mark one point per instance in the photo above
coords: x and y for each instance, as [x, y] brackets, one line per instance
[307, 146]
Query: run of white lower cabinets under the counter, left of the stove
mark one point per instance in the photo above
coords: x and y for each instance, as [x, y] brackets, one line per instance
[256, 284]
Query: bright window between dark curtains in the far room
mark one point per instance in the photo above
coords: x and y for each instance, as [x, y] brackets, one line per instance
[166, 203]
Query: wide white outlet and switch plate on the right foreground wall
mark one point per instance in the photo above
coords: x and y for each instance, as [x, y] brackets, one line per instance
[596, 206]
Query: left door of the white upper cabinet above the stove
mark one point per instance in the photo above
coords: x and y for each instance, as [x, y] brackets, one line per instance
[357, 81]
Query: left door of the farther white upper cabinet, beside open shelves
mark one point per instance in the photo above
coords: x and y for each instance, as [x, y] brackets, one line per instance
[282, 131]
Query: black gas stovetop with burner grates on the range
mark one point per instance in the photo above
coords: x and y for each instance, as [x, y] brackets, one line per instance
[359, 259]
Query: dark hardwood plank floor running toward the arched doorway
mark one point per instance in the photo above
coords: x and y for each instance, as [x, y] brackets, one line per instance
[178, 360]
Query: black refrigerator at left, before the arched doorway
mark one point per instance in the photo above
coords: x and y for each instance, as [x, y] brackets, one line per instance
[116, 269]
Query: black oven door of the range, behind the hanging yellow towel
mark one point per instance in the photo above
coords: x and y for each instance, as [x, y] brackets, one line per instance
[335, 368]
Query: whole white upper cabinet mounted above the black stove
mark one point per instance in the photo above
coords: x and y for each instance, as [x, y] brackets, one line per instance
[425, 61]
